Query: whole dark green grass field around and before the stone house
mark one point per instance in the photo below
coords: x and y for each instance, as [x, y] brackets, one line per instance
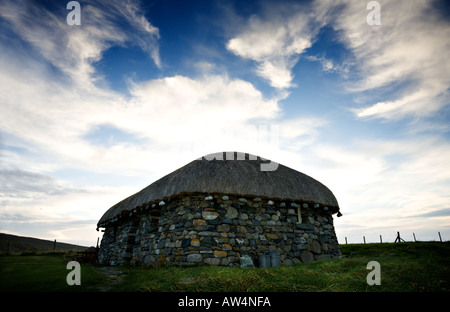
[405, 267]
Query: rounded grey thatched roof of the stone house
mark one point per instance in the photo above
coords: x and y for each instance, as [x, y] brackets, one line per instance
[230, 177]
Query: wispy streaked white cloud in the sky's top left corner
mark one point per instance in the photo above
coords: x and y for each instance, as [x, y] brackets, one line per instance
[74, 49]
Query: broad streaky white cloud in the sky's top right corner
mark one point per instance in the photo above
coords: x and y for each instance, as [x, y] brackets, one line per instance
[409, 49]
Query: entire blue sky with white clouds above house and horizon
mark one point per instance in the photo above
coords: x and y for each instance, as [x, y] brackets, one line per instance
[352, 94]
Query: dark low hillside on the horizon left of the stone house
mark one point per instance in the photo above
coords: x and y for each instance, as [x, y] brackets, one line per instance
[20, 244]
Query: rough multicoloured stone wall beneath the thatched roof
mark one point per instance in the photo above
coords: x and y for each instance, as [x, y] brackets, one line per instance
[218, 230]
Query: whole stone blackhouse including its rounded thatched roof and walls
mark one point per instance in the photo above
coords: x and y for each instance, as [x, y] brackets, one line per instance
[222, 209]
